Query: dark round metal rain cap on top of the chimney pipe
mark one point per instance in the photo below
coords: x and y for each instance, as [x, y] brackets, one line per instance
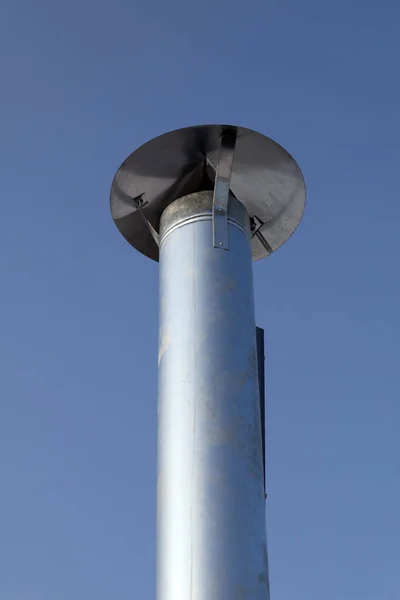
[264, 178]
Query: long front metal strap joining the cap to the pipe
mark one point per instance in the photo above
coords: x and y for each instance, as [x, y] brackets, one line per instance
[221, 189]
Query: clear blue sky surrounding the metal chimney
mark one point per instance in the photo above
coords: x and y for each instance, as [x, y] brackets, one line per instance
[82, 85]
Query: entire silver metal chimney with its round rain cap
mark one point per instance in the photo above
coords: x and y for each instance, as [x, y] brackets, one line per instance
[206, 202]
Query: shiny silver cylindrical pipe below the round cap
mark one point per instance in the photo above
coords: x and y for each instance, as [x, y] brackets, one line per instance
[211, 531]
